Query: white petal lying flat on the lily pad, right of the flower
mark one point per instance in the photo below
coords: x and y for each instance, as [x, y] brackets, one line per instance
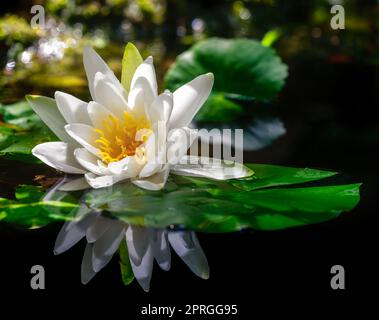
[210, 168]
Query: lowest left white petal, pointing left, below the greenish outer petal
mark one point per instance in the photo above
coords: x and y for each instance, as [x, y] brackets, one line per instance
[58, 155]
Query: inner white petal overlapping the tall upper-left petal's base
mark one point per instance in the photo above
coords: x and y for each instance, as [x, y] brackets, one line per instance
[108, 95]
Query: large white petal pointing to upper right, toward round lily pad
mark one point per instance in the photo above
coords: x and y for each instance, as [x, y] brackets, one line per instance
[189, 98]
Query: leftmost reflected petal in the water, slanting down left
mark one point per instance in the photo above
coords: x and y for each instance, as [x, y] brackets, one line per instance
[72, 232]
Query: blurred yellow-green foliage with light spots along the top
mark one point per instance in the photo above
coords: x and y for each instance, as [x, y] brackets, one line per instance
[41, 61]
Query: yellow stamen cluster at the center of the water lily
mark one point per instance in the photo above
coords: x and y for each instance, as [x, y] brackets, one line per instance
[120, 138]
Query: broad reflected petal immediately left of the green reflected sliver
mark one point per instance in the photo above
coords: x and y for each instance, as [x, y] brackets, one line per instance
[106, 246]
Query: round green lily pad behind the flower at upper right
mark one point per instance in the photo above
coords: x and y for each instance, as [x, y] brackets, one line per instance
[244, 70]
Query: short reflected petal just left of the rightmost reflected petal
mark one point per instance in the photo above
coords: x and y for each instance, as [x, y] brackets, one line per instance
[161, 249]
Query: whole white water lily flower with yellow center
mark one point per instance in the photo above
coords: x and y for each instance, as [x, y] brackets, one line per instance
[138, 135]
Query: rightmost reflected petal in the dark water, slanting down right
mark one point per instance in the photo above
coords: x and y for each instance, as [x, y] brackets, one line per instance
[188, 248]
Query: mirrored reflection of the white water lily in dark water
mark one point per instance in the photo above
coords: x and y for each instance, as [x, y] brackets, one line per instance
[105, 234]
